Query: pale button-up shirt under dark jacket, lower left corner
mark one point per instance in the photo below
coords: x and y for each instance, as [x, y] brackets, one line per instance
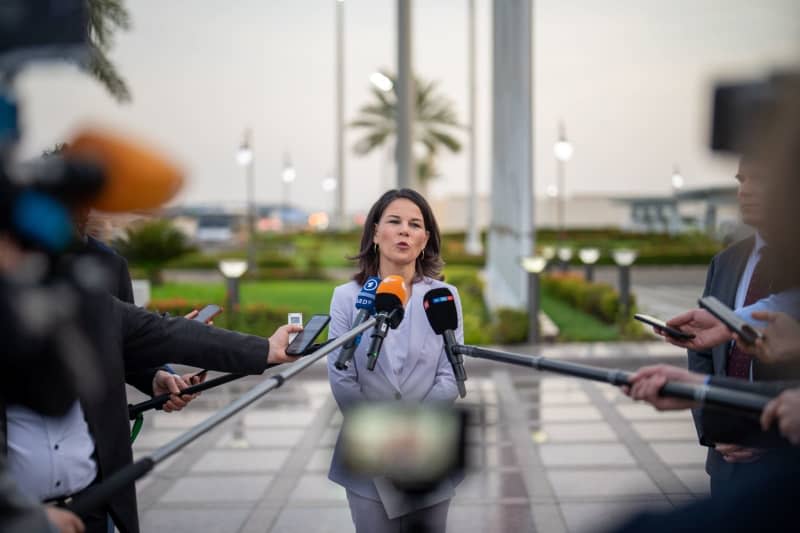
[49, 457]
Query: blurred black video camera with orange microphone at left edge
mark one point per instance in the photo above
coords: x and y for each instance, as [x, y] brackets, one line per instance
[46, 278]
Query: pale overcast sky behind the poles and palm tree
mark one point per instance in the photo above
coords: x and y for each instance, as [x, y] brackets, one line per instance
[630, 78]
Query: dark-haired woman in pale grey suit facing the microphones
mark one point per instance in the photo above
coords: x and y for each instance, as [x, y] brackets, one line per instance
[401, 238]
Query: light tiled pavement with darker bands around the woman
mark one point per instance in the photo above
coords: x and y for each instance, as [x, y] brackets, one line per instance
[547, 454]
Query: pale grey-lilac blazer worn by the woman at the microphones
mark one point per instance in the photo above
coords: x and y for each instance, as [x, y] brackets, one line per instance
[426, 376]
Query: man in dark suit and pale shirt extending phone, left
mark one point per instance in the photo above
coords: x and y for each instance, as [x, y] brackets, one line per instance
[92, 441]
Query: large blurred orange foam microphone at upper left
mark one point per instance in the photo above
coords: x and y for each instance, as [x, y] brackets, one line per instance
[136, 177]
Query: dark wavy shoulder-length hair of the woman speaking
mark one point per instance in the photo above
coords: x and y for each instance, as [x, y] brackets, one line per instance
[429, 265]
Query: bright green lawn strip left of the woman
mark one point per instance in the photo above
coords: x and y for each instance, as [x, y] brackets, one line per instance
[308, 297]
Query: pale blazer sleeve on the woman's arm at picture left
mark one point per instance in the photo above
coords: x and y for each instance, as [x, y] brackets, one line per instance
[344, 383]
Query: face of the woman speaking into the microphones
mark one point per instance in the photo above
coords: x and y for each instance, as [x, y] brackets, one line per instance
[400, 233]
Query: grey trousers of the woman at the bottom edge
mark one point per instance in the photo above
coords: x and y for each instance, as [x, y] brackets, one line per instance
[369, 516]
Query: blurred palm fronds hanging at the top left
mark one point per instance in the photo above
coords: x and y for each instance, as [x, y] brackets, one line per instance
[105, 17]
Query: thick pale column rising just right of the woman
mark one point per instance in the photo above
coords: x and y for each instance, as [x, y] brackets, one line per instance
[511, 229]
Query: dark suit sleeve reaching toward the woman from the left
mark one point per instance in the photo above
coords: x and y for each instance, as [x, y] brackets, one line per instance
[150, 340]
